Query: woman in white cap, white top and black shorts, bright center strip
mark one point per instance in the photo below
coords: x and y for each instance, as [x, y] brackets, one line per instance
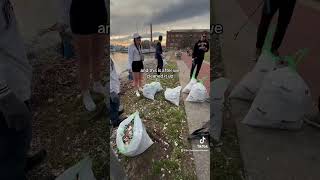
[135, 65]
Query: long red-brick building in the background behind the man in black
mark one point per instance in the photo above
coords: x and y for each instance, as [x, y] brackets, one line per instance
[181, 39]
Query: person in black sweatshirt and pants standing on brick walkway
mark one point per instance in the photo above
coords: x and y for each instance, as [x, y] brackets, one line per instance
[200, 48]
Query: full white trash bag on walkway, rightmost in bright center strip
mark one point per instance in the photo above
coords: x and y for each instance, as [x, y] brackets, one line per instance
[198, 93]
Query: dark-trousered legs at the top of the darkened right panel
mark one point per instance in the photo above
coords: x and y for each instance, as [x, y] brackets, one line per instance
[286, 8]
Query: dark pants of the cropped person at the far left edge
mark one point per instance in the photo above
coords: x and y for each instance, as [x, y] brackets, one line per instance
[14, 146]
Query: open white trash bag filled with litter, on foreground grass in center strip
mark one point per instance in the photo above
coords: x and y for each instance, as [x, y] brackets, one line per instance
[140, 139]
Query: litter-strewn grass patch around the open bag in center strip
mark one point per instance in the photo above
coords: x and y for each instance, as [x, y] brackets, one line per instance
[164, 122]
